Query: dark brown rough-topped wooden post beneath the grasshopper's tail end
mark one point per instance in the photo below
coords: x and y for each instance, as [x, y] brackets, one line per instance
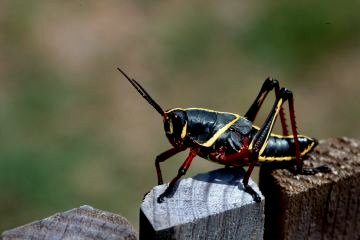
[324, 206]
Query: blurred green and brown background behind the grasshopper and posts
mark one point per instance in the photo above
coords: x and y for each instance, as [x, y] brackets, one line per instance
[74, 132]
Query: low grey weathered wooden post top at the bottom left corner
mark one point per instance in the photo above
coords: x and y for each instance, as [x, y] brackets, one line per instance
[80, 223]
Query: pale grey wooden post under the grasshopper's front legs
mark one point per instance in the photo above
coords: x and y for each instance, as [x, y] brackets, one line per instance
[208, 206]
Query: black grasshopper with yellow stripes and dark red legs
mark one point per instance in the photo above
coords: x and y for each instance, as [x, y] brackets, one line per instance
[230, 139]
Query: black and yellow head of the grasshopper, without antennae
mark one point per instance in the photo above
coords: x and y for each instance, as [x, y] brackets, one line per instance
[175, 126]
